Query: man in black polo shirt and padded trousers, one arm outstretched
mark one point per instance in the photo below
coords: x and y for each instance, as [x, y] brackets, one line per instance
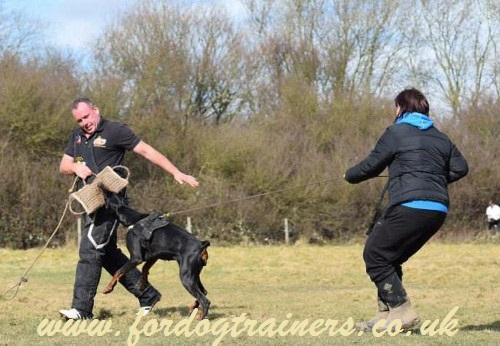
[93, 145]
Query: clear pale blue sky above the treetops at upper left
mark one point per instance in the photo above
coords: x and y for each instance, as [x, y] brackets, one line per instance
[74, 24]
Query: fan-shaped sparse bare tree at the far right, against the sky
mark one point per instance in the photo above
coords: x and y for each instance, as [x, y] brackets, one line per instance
[461, 36]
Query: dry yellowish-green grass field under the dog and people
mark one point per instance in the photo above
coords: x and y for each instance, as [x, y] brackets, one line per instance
[296, 284]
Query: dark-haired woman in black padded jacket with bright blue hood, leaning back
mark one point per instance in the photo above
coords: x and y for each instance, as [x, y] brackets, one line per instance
[422, 161]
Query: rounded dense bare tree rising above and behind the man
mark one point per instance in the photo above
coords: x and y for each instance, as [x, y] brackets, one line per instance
[175, 61]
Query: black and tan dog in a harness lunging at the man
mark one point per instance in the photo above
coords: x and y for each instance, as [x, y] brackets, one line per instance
[152, 237]
